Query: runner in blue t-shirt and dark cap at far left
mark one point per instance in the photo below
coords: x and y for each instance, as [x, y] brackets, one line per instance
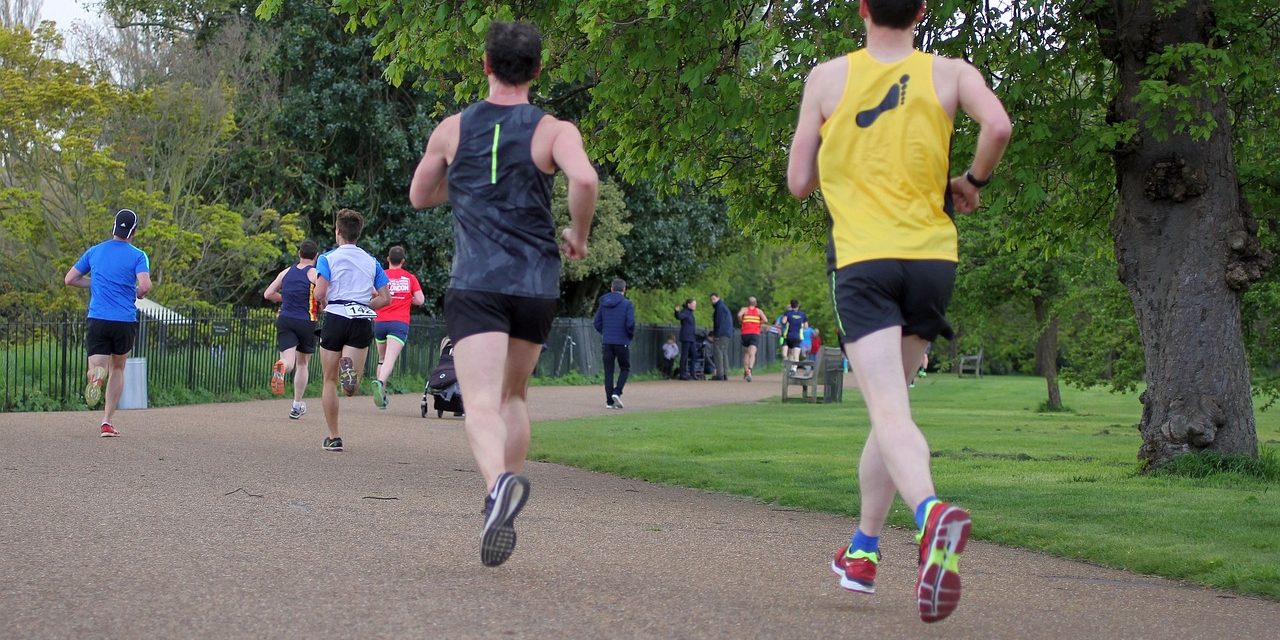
[117, 275]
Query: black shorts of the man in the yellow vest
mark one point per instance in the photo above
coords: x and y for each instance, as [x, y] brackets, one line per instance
[881, 294]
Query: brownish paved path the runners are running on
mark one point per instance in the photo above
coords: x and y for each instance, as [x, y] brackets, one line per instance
[230, 522]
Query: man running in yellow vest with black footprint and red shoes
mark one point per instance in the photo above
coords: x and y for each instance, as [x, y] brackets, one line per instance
[875, 134]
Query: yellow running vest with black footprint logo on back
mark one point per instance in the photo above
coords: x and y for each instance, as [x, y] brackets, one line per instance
[884, 164]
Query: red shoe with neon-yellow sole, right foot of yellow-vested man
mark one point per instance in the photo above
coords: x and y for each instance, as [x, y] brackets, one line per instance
[938, 588]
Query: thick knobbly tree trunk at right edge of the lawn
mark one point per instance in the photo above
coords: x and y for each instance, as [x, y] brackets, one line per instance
[1186, 244]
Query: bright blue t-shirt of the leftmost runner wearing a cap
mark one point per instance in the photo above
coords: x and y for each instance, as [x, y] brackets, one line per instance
[113, 268]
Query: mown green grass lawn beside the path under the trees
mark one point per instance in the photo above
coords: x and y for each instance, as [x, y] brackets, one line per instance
[1063, 483]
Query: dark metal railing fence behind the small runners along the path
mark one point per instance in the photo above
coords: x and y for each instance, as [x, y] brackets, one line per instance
[188, 355]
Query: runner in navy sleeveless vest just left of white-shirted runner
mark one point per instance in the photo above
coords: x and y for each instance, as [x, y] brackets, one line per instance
[296, 324]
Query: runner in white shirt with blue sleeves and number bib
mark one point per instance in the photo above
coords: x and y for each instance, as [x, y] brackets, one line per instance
[354, 286]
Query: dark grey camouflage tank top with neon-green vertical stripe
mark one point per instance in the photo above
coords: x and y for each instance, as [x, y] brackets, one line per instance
[504, 234]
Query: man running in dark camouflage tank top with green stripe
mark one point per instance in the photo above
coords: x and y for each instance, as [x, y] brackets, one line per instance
[495, 164]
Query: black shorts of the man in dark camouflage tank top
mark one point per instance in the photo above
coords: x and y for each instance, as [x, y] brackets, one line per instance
[470, 313]
